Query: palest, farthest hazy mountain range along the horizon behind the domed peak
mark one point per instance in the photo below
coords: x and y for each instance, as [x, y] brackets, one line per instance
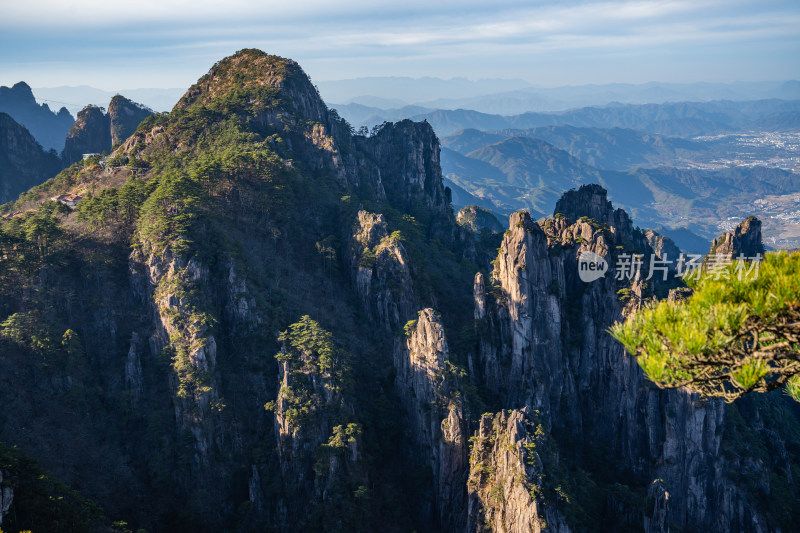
[495, 96]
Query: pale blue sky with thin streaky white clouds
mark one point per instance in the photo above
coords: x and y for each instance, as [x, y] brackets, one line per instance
[162, 43]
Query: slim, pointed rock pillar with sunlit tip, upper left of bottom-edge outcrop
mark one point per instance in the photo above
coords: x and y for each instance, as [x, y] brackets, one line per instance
[426, 382]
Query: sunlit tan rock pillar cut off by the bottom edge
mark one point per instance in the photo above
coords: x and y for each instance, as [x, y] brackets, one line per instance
[505, 481]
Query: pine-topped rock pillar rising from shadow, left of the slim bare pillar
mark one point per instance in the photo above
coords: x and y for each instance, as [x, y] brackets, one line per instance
[316, 457]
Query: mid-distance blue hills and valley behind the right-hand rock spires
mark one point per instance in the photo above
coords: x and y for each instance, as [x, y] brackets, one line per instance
[505, 171]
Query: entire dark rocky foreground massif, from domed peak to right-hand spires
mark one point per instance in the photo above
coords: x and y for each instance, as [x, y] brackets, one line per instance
[258, 320]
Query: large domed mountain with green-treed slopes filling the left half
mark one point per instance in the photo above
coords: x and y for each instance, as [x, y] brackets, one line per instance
[209, 231]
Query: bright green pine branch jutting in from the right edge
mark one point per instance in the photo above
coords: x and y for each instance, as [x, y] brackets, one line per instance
[739, 332]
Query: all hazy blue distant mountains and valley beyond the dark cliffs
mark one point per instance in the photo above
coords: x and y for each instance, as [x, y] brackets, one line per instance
[503, 159]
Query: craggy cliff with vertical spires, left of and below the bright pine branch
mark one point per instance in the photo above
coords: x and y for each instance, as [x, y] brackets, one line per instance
[545, 346]
